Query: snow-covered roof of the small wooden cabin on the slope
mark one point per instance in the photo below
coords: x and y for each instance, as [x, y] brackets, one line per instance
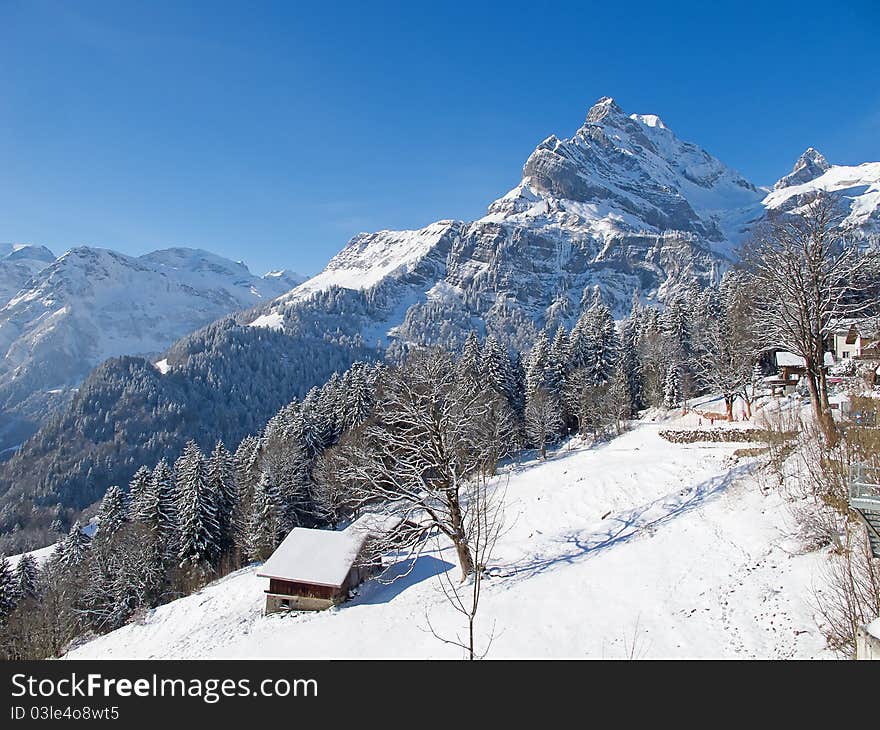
[323, 557]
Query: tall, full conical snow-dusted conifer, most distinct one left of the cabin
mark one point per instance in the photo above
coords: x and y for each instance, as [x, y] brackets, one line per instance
[199, 536]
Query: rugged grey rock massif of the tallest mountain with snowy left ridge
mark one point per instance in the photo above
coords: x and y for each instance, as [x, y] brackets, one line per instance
[623, 206]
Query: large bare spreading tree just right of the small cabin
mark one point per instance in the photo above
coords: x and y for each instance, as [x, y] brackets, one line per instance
[432, 433]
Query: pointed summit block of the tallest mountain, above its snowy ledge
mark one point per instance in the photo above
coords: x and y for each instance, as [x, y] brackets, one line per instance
[622, 174]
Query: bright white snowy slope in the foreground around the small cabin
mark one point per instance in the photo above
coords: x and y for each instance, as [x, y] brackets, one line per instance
[635, 548]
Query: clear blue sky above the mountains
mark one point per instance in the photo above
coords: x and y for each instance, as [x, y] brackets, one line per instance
[272, 132]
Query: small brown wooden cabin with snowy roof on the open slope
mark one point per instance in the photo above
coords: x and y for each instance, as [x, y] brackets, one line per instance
[315, 569]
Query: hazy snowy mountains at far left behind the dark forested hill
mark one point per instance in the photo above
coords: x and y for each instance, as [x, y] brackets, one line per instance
[90, 304]
